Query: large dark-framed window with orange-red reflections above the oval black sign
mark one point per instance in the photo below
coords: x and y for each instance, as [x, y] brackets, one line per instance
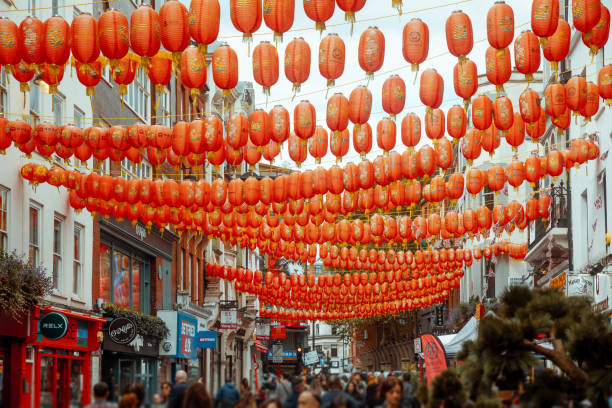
[124, 279]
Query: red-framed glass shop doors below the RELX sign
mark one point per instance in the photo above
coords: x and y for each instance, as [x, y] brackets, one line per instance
[61, 381]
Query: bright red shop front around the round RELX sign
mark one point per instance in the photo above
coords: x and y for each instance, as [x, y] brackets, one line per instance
[61, 376]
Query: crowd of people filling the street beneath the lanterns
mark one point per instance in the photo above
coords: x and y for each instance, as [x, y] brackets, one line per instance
[298, 391]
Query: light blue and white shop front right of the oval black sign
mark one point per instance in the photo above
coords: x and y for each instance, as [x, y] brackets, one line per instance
[181, 345]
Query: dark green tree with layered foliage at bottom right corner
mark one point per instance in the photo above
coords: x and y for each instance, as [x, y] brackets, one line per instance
[507, 344]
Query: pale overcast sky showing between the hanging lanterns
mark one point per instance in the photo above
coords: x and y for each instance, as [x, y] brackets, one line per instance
[375, 13]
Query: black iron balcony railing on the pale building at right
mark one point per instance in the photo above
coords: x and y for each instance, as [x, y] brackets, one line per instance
[559, 214]
